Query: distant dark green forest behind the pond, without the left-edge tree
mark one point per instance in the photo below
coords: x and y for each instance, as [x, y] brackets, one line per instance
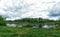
[35, 21]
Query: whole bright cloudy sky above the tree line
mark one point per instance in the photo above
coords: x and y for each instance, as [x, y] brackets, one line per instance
[17, 9]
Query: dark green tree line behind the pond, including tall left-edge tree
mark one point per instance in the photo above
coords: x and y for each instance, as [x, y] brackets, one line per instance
[29, 21]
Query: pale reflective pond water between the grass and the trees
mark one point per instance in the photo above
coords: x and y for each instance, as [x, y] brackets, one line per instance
[33, 26]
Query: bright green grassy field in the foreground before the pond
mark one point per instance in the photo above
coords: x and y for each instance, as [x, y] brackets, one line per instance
[28, 32]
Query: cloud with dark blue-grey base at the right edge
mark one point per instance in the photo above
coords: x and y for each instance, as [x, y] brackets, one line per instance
[55, 11]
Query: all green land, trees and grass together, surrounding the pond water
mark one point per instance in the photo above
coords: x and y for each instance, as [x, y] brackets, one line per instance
[28, 31]
